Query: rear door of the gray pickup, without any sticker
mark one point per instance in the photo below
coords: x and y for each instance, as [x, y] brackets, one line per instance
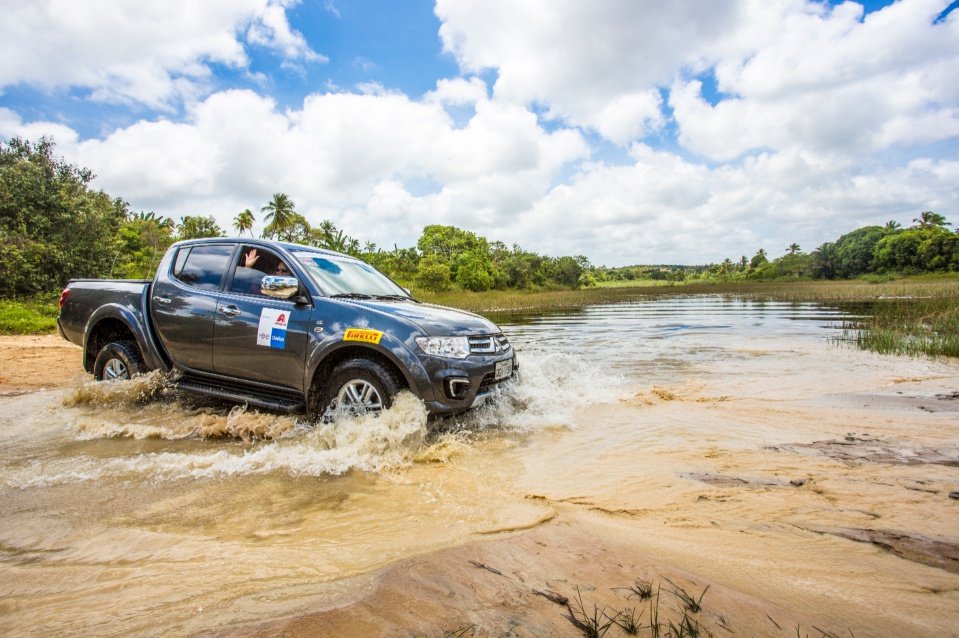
[183, 303]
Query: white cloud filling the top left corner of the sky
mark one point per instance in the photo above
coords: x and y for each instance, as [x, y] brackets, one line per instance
[152, 52]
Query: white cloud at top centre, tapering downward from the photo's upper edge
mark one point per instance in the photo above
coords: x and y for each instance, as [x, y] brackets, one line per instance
[592, 64]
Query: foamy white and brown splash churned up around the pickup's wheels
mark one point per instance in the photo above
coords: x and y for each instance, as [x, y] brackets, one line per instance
[217, 442]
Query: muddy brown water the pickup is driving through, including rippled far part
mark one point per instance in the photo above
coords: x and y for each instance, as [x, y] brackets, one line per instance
[733, 439]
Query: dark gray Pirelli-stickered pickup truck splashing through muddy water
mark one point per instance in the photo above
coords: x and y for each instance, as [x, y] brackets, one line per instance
[284, 327]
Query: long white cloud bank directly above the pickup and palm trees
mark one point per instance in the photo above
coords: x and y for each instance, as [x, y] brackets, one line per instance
[345, 157]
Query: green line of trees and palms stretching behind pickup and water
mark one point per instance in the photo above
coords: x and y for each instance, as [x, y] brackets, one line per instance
[54, 227]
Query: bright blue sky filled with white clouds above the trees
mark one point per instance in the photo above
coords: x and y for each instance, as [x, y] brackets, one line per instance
[627, 131]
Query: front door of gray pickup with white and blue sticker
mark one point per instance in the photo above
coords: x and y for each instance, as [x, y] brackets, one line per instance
[256, 337]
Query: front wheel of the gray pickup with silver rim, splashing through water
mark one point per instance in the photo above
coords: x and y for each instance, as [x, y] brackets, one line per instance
[355, 388]
